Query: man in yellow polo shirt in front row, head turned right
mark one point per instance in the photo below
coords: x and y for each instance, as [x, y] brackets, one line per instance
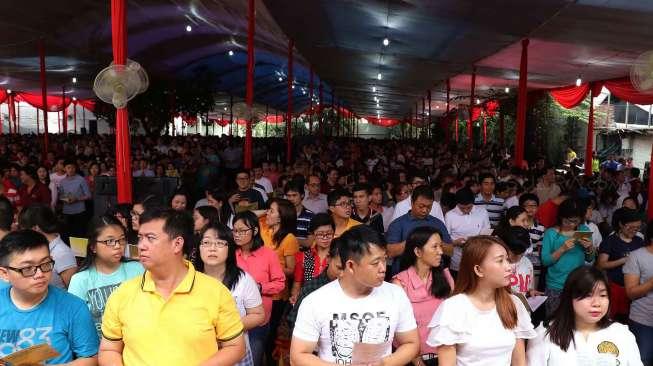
[172, 314]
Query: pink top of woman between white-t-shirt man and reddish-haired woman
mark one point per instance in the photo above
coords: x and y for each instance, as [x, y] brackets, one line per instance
[424, 304]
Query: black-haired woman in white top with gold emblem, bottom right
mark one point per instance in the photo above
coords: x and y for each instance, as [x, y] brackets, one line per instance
[580, 332]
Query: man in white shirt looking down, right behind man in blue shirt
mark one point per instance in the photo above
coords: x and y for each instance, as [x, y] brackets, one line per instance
[465, 220]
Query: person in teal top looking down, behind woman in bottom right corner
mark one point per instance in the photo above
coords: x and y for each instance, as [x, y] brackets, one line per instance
[563, 251]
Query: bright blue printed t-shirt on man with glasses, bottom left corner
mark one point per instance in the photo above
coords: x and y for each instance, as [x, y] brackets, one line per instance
[61, 320]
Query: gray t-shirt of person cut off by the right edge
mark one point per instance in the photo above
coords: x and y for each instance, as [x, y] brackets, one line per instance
[640, 263]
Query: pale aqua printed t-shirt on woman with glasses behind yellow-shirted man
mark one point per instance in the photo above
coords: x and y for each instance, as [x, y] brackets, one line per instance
[94, 287]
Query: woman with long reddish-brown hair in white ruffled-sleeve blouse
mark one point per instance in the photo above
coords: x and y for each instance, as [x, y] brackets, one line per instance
[482, 324]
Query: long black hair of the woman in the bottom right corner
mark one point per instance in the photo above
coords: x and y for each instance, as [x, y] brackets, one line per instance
[579, 284]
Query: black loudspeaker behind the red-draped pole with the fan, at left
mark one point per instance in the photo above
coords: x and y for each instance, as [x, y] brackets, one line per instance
[160, 189]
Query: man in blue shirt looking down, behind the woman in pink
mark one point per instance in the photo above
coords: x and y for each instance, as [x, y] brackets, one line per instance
[399, 229]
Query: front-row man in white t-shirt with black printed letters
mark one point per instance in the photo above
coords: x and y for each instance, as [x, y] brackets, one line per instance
[359, 307]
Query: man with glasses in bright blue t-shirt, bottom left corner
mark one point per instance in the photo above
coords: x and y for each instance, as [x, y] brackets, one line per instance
[32, 312]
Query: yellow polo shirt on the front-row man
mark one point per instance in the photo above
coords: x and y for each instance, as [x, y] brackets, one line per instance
[183, 330]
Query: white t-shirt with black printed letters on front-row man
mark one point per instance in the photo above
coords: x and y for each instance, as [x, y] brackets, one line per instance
[336, 321]
